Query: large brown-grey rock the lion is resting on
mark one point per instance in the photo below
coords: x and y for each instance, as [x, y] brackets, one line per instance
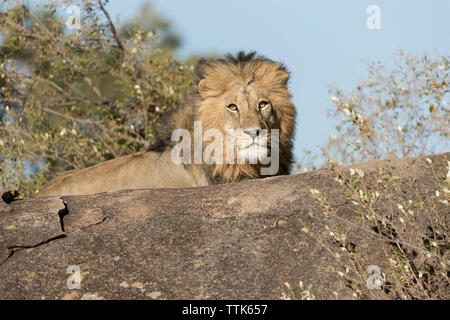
[260, 239]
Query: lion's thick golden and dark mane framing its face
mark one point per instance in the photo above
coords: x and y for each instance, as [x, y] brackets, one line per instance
[212, 78]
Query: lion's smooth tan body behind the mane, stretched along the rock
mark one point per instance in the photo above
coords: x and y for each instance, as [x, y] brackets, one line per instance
[137, 171]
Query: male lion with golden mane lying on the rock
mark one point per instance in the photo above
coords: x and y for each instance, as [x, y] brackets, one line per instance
[246, 93]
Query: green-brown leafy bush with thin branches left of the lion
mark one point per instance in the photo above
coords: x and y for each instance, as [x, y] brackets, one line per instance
[70, 99]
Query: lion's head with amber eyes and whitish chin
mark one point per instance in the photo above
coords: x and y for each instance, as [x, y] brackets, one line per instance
[246, 100]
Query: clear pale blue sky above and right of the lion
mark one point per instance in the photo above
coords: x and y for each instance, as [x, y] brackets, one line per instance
[323, 43]
